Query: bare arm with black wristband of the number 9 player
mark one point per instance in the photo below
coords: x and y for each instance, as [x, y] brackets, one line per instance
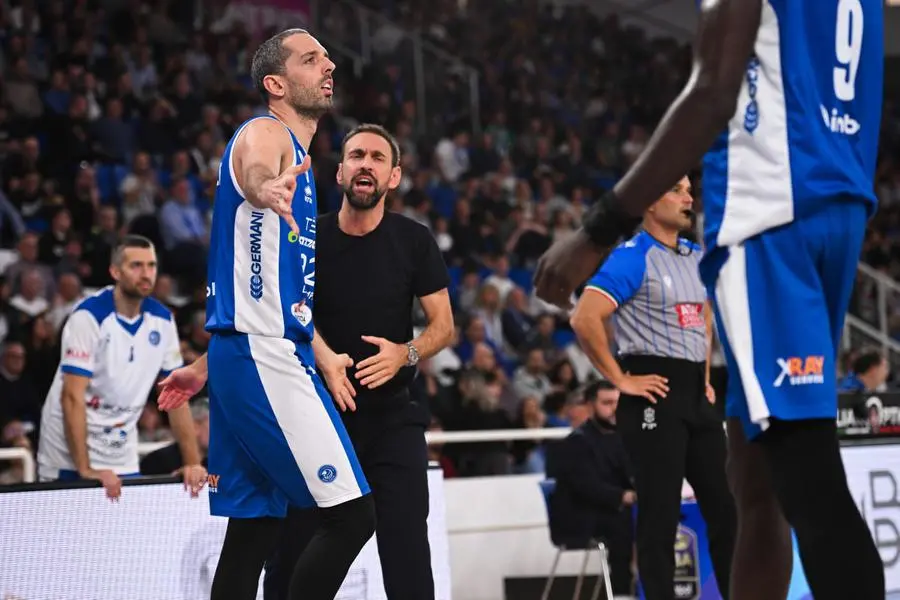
[726, 35]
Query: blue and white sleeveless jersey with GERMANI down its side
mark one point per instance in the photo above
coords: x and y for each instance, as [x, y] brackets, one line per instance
[261, 276]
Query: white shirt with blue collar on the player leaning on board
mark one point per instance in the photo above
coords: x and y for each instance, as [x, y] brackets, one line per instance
[123, 359]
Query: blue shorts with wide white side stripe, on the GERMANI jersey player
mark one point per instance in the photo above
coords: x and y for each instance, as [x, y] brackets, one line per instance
[275, 436]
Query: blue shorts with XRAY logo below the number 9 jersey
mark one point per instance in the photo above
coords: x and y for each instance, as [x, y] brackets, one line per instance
[780, 299]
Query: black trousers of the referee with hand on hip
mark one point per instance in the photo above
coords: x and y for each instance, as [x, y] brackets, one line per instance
[681, 436]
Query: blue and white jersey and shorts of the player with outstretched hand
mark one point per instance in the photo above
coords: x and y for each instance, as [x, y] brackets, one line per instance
[275, 435]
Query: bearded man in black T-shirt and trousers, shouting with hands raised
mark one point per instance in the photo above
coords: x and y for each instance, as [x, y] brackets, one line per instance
[370, 265]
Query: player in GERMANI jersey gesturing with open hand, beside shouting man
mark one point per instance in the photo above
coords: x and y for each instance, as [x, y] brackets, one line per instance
[275, 435]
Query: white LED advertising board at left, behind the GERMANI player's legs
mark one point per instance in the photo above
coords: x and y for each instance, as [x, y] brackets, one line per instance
[154, 544]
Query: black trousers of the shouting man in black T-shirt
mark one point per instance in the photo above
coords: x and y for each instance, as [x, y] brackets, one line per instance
[392, 450]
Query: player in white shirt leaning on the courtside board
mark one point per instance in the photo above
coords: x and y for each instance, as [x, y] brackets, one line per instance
[115, 344]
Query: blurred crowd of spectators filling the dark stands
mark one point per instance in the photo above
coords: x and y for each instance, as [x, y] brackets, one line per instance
[114, 114]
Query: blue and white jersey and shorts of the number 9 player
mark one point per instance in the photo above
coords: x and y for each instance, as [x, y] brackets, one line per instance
[787, 191]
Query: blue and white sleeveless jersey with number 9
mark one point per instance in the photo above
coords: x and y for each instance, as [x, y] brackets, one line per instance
[805, 133]
